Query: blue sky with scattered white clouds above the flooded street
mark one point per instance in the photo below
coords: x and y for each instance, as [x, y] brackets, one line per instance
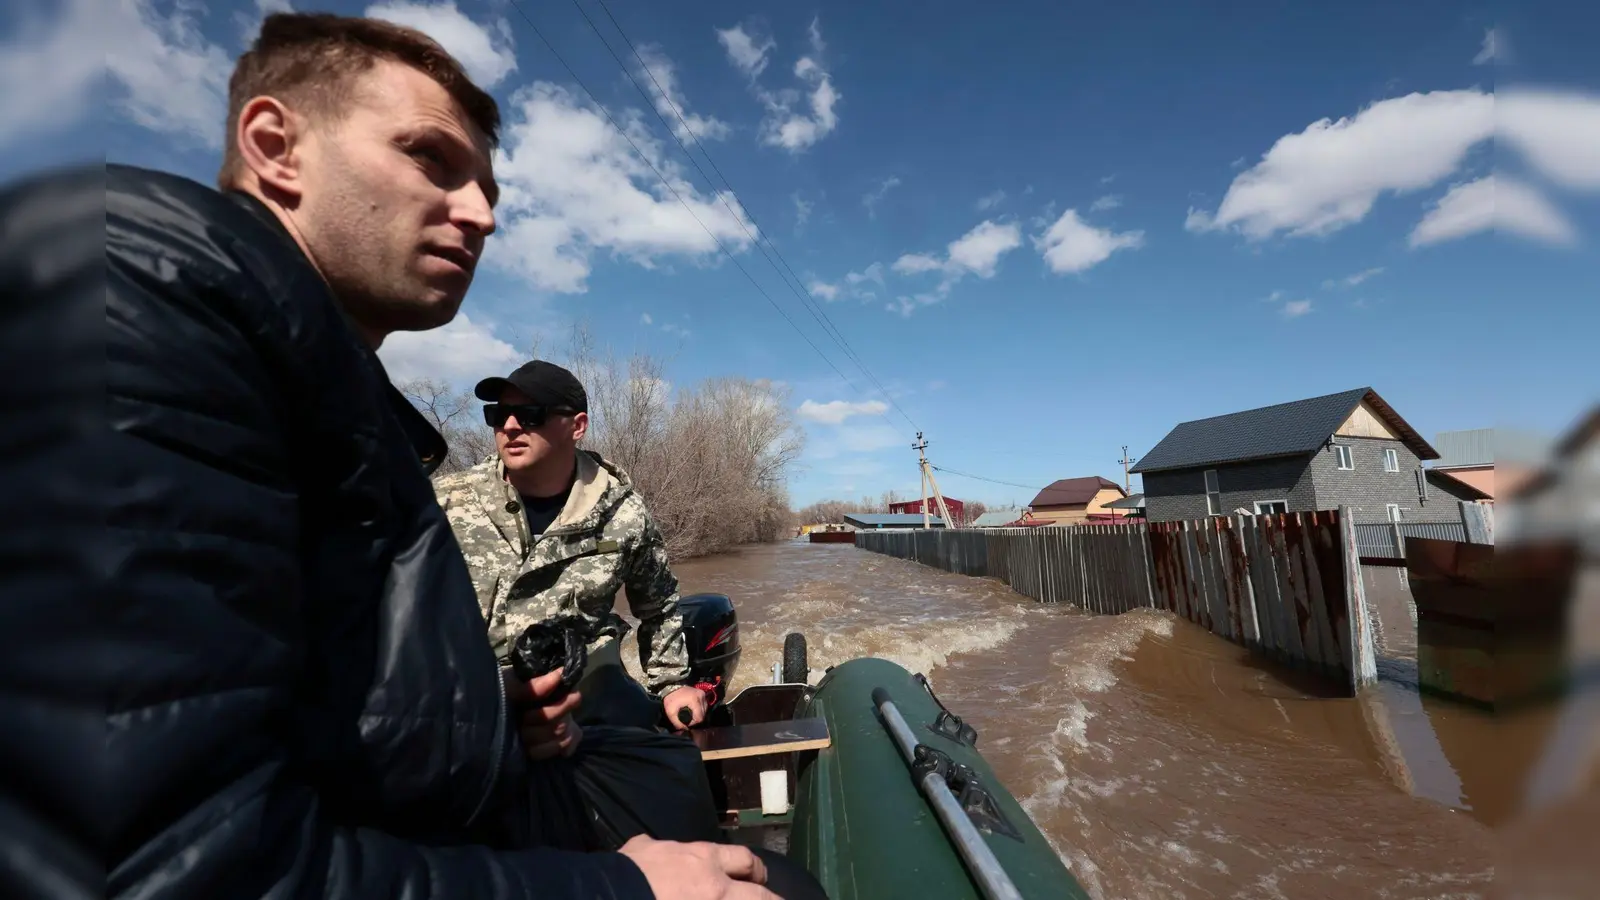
[1047, 230]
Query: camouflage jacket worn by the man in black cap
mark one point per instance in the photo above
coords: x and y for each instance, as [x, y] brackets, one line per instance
[604, 540]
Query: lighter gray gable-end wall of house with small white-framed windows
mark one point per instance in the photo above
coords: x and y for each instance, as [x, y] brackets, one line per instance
[1367, 489]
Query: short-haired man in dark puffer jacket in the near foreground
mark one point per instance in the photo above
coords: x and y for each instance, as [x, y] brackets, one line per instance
[300, 701]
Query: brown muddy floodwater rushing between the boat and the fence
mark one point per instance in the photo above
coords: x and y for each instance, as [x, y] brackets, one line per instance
[1159, 760]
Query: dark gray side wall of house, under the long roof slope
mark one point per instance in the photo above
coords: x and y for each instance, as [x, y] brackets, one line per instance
[1180, 494]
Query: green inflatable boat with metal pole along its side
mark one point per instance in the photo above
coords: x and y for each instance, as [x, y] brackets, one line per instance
[874, 787]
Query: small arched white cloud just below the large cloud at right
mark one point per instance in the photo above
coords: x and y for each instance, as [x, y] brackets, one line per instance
[1495, 203]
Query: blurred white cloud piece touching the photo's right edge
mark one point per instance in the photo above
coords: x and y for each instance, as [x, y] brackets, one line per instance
[1559, 132]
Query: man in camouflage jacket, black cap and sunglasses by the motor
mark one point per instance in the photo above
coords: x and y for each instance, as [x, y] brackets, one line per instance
[550, 529]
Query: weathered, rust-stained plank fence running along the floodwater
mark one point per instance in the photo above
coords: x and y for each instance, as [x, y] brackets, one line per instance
[1284, 585]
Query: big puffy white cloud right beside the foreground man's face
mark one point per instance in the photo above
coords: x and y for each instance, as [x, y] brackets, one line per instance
[572, 185]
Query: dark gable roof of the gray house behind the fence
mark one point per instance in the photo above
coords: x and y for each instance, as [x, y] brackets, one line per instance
[1284, 430]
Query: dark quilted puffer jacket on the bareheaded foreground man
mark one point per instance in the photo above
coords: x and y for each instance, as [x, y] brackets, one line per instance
[300, 697]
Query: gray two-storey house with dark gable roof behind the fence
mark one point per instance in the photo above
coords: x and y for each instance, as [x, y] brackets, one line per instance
[1348, 449]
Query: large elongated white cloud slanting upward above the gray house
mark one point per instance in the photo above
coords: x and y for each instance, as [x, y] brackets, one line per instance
[1330, 175]
